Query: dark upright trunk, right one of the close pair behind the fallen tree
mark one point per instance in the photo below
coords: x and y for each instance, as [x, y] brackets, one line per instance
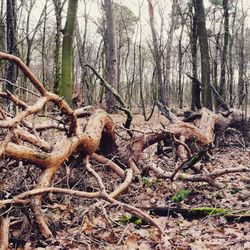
[204, 51]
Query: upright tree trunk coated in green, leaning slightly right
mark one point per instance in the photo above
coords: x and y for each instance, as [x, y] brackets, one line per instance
[67, 51]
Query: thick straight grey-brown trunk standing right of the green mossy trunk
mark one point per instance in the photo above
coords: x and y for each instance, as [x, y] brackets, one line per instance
[111, 54]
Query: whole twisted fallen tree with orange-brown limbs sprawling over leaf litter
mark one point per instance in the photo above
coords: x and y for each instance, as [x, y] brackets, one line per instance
[92, 138]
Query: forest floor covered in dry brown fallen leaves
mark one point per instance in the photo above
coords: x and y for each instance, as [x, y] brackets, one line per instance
[92, 224]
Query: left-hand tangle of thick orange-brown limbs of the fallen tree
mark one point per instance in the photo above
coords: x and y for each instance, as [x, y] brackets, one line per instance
[23, 144]
